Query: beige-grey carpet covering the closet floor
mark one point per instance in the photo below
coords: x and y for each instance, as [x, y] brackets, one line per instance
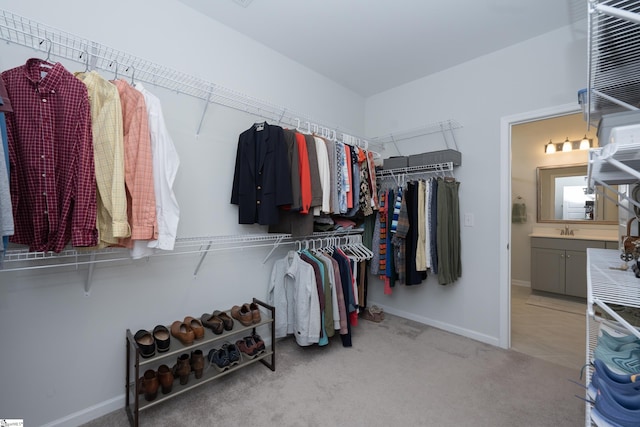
[398, 372]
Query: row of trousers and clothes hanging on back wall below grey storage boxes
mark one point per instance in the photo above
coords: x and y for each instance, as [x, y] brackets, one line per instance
[417, 230]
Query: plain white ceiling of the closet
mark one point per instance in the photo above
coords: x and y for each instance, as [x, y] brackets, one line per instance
[370, 46]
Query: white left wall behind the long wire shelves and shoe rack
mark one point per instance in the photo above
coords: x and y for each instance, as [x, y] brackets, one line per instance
[63, 358]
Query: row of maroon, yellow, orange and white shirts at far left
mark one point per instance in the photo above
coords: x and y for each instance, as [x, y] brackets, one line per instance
[91, 163]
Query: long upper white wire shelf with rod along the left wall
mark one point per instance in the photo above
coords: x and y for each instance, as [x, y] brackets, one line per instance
[57, 43]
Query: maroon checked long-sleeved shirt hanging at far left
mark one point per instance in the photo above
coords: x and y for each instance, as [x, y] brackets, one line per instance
[52, 178]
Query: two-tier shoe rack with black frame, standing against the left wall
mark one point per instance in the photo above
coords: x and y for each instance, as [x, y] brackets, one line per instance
[136, 365]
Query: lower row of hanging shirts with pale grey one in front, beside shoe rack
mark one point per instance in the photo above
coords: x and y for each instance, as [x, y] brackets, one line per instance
[318, 292]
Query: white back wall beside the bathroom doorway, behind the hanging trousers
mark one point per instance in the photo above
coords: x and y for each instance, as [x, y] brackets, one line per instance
[541, 72]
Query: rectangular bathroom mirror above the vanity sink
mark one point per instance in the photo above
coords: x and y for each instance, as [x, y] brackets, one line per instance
[563, 197]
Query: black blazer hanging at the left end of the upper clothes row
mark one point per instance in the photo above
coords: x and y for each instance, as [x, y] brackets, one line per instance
[262, 178]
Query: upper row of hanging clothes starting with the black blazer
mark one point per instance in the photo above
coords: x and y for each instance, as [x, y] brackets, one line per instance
[285, 178]
